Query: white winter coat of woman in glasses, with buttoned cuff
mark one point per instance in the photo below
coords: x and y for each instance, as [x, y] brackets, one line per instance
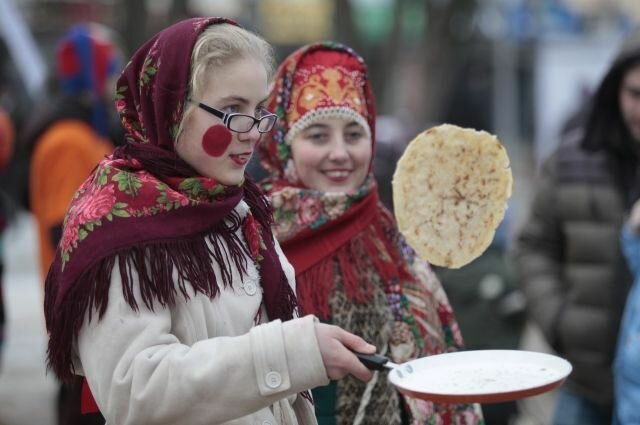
[201, 361]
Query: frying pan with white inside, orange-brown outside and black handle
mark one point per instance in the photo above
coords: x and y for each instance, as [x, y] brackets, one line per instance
[474, 376]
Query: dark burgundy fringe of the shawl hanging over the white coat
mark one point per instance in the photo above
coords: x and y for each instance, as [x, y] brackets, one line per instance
[154, 262]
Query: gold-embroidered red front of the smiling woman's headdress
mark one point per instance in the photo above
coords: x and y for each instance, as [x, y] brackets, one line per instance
[334, 86]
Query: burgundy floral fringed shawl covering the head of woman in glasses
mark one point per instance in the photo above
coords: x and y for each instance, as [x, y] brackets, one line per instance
[148, 211]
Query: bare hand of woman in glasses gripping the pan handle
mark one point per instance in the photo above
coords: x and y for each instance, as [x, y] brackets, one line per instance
[336, 348]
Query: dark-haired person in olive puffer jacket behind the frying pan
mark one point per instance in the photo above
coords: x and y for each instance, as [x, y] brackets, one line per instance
[567, 254]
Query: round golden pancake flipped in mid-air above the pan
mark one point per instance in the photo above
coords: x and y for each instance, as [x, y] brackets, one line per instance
[450, 192]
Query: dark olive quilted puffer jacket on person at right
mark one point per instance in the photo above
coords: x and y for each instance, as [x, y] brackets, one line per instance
[570, 264]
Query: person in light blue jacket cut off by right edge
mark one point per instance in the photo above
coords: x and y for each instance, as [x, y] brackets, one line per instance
[626, 371]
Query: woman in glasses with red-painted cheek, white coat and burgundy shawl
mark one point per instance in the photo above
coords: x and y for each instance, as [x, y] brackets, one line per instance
[169, 292]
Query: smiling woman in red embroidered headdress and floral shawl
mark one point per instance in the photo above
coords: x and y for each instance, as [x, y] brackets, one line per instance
[353, 268]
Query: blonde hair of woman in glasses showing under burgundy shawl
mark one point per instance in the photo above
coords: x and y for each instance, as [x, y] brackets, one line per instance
[217, 46]
